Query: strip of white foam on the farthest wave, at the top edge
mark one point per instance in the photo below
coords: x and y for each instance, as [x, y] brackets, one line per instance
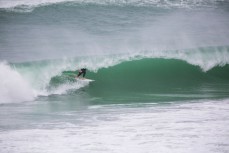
[161, 3]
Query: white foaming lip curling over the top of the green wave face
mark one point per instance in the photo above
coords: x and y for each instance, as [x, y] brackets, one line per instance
[204, 58]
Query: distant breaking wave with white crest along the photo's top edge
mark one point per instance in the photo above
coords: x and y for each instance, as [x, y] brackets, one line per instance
[28, 6]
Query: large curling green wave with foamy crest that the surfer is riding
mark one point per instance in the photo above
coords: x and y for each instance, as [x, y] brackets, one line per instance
[149, 72]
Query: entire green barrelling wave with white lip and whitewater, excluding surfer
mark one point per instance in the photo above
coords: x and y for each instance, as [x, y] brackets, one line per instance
[129, 77]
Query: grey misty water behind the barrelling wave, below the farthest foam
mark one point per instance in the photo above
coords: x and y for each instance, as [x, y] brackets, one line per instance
[73, 29]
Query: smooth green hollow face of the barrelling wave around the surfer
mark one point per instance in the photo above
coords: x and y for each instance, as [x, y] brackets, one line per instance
[150, 79]
